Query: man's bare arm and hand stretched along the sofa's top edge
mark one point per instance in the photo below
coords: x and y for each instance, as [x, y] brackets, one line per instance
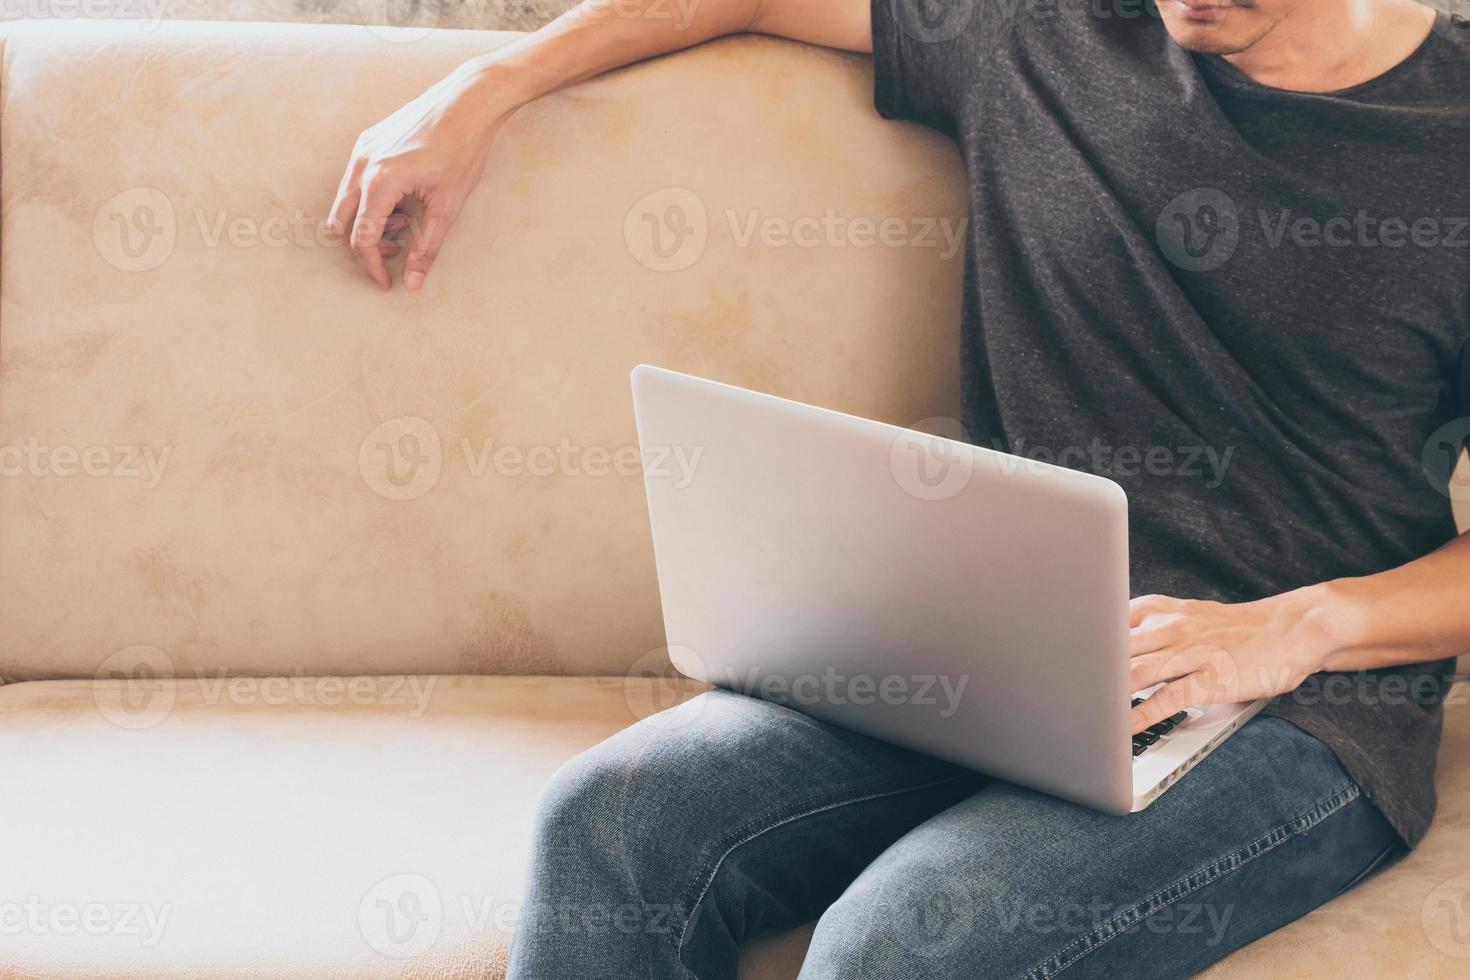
[434, 149]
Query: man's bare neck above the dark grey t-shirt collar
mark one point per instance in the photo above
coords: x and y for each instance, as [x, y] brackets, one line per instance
[1333, 45]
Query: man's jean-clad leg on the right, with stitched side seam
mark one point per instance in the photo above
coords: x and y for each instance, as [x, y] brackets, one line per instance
[1015, 884]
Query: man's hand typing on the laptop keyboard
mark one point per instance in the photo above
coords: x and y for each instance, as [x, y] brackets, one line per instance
[1216, 653]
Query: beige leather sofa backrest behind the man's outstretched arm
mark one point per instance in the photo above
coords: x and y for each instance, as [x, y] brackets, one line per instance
[223, 443]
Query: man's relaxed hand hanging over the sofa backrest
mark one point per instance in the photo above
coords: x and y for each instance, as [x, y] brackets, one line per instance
[430, 155]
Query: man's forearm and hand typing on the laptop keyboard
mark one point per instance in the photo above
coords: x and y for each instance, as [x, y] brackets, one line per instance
[1218, 653]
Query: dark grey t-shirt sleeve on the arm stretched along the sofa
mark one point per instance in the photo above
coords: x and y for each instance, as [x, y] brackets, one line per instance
[925, 55]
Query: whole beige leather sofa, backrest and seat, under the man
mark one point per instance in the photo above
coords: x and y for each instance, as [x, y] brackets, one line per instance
[279, 552]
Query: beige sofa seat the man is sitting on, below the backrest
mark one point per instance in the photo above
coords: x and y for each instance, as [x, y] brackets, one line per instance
[379, 828]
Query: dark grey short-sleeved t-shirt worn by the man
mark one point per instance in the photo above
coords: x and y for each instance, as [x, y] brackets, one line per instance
[1247, 306]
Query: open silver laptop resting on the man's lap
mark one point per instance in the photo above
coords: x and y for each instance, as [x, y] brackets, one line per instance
[949, 599]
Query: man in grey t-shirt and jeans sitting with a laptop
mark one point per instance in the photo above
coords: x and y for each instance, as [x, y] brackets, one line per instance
[1213, 227]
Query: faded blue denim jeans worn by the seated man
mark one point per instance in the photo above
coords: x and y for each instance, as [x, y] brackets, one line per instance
[662, 849]
